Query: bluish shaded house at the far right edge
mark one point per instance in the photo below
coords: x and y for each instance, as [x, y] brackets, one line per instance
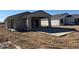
[70, 20]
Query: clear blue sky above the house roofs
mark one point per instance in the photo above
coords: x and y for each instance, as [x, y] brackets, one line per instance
[6, 13]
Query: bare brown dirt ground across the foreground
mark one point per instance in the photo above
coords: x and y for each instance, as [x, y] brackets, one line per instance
[37, 40]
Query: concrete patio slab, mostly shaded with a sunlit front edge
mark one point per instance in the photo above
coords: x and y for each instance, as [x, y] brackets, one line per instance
[55, 31]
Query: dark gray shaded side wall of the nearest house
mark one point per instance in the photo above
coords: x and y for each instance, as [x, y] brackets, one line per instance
[16, 23]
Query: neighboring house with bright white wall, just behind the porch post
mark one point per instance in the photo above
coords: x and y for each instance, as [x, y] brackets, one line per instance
[58, 19]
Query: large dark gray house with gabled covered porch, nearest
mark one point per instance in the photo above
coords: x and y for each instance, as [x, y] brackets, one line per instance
[26, 21]
